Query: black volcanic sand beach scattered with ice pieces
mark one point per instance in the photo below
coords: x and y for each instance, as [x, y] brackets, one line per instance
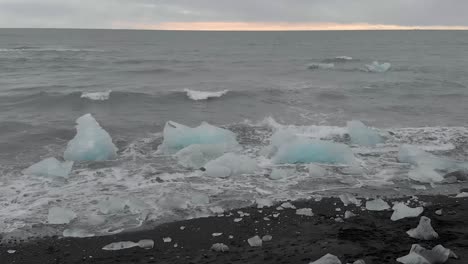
[371, 236]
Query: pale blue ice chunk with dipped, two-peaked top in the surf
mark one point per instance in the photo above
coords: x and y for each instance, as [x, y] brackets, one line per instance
[178, 136]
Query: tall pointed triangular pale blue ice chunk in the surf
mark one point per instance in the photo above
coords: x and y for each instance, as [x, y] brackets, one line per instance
[91, 143]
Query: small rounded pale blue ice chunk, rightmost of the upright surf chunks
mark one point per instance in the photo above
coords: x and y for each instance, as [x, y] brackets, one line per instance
[362, 135]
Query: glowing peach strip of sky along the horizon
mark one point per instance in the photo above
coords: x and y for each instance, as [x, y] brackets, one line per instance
[274, 26]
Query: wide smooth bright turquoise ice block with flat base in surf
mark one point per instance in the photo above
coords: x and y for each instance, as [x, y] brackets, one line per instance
[303, 150]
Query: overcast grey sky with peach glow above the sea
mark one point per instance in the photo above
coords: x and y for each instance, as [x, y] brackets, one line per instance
[235, 14]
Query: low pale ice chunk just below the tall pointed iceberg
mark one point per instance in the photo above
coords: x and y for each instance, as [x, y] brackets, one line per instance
[50, 167]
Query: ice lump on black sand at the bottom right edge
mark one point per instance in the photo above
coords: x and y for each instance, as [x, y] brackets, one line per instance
[420, 255]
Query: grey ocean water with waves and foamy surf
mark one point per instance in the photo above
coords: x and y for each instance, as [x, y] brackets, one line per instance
[423, 99]
